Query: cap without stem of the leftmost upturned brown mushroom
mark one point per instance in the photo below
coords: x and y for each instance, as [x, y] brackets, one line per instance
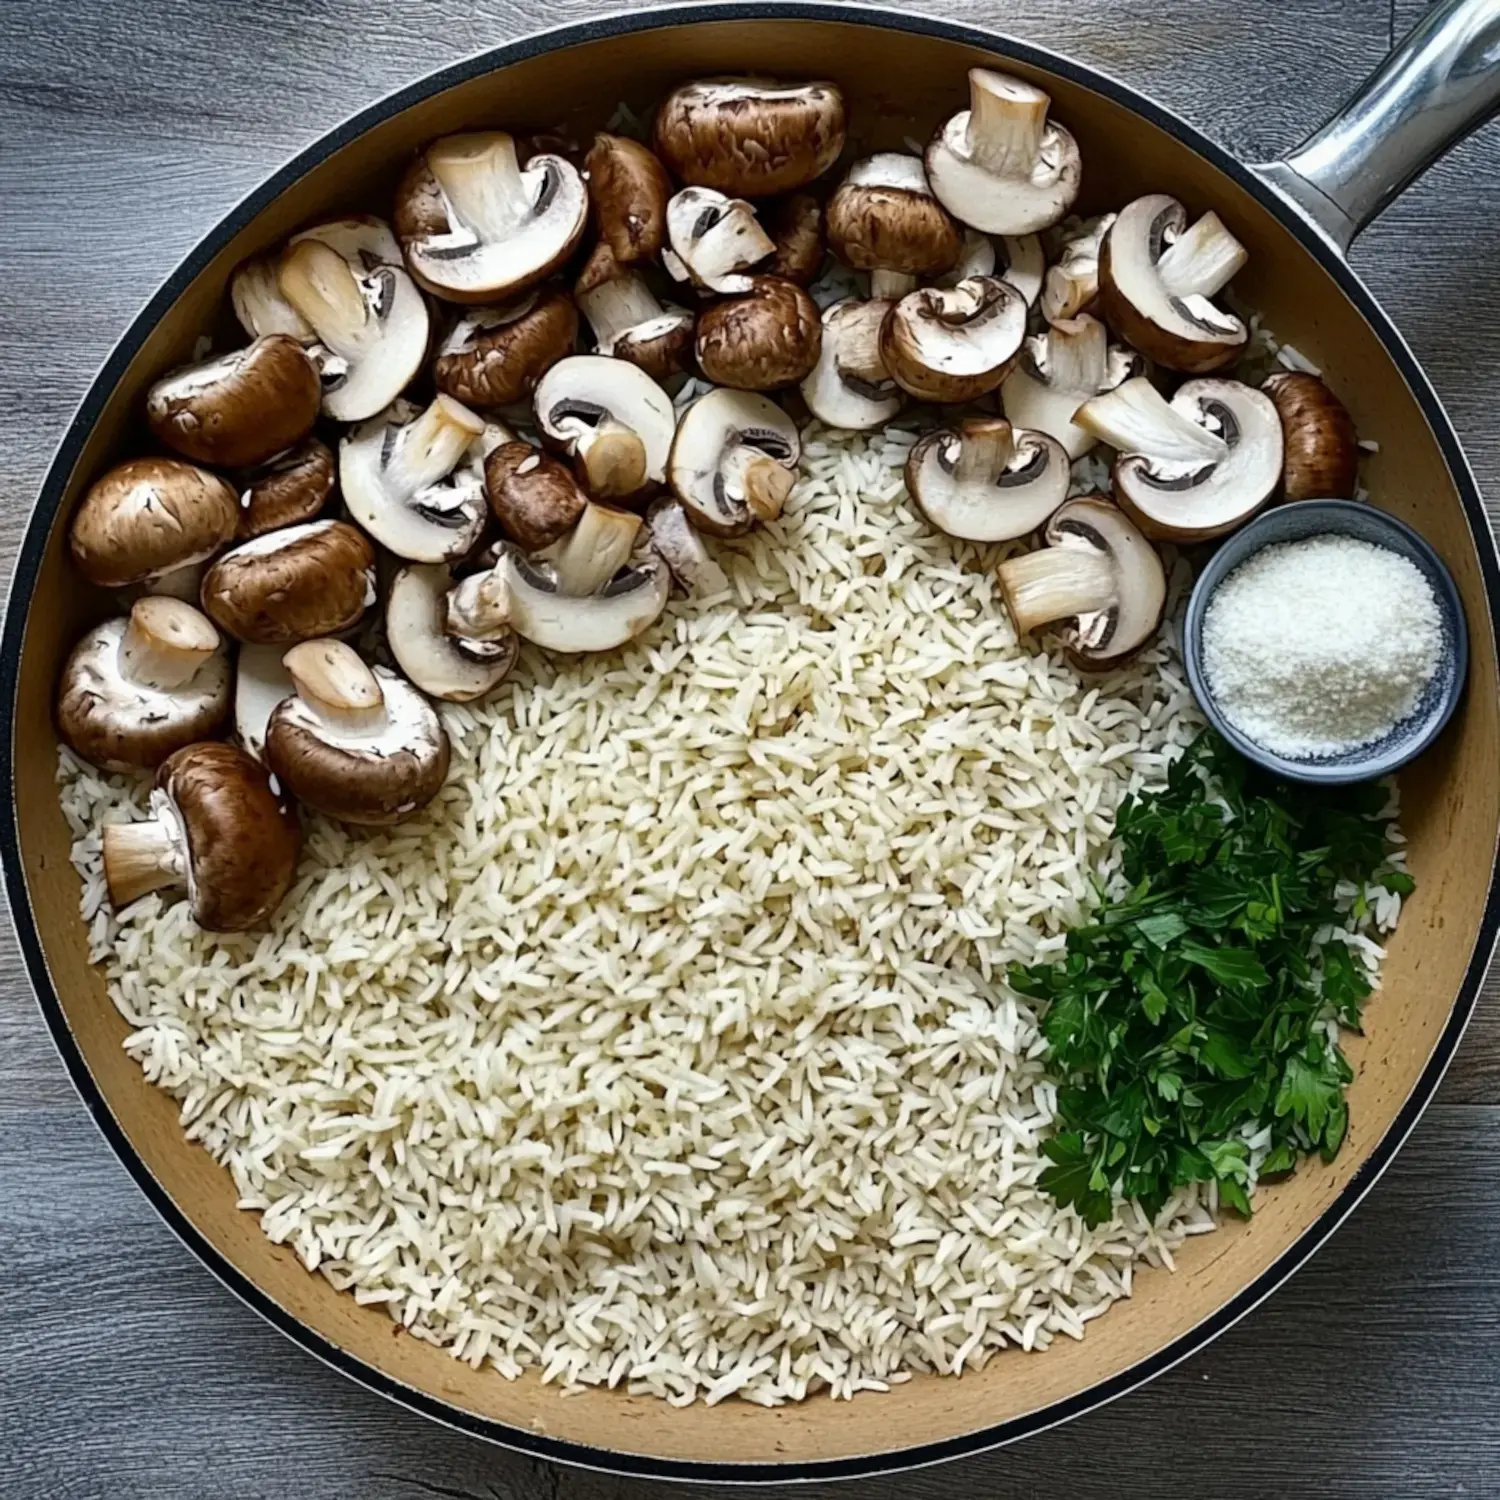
[122, 725]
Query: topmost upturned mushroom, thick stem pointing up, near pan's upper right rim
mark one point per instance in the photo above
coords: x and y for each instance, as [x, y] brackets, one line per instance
[1001, 166]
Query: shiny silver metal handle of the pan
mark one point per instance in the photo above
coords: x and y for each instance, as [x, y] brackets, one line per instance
[1436, 88]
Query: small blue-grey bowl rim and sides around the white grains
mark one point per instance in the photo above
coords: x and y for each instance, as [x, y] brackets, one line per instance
[1348, 518]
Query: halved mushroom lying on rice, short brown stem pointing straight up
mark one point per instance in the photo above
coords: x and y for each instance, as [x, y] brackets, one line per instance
[986, 481]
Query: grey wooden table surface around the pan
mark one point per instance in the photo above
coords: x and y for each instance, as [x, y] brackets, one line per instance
[125, 1369]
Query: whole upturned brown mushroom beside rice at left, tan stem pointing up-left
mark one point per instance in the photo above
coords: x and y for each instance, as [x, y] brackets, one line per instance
[355, 743]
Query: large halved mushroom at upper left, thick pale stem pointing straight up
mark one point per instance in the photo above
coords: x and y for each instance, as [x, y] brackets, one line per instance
[478, 226]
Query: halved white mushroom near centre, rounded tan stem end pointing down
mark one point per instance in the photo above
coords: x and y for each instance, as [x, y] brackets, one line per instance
[611, 419]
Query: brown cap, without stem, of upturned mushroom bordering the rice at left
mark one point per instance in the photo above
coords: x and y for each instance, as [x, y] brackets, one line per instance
[368, 775]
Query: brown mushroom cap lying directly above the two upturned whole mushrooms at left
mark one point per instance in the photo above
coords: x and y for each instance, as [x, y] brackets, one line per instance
[292, 586]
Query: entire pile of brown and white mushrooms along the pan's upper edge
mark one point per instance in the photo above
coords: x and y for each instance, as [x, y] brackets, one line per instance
[524, 406]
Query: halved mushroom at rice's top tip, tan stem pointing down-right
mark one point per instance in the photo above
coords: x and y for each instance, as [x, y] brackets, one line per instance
[734, 461]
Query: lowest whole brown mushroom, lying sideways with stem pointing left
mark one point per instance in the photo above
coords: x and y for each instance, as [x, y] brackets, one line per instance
[218, 830]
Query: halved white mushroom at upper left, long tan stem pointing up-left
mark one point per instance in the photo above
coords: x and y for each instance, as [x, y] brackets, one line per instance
[346, 281]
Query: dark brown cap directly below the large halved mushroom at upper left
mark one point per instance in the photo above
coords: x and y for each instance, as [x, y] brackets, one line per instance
[496, 356]
